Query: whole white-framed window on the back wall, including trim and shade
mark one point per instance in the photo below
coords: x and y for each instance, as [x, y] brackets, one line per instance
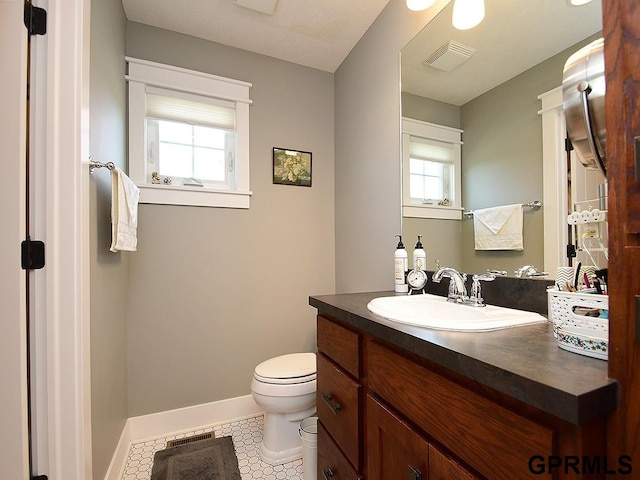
[188, 136]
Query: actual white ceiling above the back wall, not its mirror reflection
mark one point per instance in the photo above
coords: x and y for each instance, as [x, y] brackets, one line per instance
[314, 33]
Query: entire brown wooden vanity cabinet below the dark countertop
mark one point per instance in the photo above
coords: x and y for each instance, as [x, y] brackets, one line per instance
[386, 414]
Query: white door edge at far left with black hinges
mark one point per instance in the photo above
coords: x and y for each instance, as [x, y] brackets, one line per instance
[13, 393]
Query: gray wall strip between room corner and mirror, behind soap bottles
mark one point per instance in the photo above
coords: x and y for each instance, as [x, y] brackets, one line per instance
[367, 139]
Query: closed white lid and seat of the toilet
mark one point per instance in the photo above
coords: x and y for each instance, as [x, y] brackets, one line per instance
[291, 368]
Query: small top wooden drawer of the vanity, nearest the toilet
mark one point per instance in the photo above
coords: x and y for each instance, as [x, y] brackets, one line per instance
[339, 344]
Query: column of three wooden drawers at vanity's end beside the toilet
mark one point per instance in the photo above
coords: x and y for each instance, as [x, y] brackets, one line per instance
[339, 402]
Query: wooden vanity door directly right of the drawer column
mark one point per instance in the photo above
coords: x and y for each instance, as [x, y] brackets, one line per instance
[394, 450]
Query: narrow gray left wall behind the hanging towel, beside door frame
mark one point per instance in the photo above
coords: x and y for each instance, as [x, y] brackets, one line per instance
[109, 271]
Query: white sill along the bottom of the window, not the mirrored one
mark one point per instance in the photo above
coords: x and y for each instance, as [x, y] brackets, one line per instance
[193, 196]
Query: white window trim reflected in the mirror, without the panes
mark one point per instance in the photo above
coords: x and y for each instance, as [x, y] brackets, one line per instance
[439, 133]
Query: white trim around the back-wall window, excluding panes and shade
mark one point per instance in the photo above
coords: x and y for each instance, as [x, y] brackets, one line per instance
[143, 73]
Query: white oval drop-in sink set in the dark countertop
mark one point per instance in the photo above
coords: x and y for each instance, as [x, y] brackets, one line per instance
[432, 311]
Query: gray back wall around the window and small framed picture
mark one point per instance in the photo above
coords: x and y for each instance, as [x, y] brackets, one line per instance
[214, 291]
